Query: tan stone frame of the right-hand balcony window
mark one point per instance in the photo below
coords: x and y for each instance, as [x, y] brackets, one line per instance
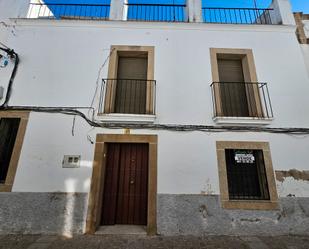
[250, 75]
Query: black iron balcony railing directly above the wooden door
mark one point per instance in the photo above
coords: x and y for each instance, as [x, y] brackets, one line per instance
[128, 96]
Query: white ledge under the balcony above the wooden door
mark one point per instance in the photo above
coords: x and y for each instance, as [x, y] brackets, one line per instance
[126, 118]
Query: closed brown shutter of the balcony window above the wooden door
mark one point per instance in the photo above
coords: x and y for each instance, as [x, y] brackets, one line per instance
[131, 85]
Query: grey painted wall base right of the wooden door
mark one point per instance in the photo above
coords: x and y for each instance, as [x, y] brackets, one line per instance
[203, 215]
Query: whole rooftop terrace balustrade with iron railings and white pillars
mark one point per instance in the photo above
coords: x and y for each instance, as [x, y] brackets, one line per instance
[193, 11]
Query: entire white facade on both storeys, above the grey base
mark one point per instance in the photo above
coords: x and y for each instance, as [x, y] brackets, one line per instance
[61, 81]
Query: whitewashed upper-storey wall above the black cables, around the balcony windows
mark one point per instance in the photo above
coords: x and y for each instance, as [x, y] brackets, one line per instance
[60, 61]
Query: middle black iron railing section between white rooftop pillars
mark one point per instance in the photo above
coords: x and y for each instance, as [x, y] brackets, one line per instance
[156, 12]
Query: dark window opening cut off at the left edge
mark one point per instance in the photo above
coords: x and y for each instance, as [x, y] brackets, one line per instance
[8, 132]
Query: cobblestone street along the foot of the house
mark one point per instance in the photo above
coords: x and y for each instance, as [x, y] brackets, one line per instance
[157, 242]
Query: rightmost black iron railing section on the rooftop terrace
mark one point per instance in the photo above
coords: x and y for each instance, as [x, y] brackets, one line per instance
[237, 15]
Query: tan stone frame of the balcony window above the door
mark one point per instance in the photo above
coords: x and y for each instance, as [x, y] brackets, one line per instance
[129, 51]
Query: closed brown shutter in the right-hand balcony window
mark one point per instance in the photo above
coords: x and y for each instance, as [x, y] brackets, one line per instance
[232, 88]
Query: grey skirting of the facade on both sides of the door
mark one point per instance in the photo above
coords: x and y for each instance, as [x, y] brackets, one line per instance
[61, 213]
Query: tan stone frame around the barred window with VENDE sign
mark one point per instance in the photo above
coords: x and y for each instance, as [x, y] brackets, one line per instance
[226, 202]
